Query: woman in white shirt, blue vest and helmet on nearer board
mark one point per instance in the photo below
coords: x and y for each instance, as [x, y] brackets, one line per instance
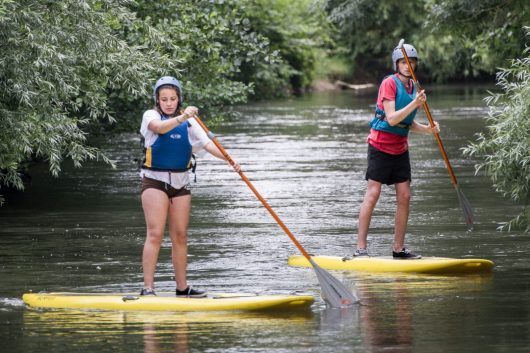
[171, 137]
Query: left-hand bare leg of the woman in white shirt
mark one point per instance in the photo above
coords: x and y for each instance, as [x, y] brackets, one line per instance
[155, 205]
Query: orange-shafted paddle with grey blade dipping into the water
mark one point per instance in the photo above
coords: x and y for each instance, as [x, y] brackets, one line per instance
[334, 292]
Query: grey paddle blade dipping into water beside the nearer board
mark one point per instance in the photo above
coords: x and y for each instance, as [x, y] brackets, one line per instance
[334, 292]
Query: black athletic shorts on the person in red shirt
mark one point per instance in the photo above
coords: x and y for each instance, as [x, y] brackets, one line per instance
[387, 168]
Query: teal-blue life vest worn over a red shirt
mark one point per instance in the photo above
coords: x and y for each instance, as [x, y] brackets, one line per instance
[403, 98]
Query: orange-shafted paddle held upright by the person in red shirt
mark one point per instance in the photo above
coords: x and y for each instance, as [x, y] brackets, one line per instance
[464, 203]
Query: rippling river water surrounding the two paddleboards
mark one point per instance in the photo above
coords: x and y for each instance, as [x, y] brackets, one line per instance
[85, 231]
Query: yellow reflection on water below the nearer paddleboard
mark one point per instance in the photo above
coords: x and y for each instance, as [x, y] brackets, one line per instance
[160, 331]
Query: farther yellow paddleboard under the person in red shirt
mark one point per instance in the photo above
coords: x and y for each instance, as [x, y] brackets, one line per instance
[434, 265]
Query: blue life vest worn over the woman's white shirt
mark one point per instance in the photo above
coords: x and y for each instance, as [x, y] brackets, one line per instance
[171, 151]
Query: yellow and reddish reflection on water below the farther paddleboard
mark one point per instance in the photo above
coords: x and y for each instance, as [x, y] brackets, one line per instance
[390, 312]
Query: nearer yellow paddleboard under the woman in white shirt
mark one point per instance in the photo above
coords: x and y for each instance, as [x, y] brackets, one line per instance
[167, 302]
